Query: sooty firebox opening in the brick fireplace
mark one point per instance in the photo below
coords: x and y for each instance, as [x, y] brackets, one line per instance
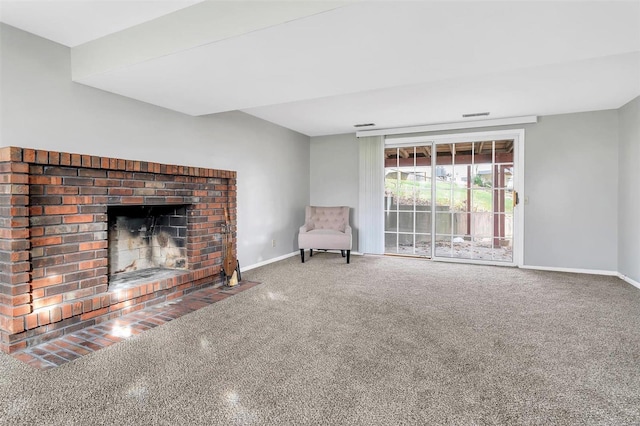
[145, 243]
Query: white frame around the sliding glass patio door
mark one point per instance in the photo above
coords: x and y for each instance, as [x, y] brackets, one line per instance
[518, 181]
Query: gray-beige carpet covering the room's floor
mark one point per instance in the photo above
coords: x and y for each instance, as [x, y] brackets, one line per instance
[382, 341]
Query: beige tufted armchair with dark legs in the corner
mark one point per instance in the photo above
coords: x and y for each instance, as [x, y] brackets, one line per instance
[325, 228]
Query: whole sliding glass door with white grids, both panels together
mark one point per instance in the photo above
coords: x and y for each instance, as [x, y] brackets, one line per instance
[451, 200]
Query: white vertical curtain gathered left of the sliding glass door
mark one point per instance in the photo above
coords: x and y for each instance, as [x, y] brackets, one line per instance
[371, 192]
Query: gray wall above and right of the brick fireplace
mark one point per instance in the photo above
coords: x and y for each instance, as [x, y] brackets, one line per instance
[42, 108]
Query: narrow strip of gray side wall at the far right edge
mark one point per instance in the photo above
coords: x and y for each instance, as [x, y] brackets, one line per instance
[629, 191]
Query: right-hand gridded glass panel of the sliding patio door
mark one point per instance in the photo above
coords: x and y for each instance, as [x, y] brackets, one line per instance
[474, 200]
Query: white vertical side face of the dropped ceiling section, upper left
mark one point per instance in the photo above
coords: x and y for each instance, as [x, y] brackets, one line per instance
[194, 26]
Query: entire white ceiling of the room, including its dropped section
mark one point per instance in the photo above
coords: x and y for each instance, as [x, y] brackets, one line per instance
[321, 67]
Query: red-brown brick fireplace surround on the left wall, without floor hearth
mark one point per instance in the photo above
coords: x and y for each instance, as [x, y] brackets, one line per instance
[86, 239]
